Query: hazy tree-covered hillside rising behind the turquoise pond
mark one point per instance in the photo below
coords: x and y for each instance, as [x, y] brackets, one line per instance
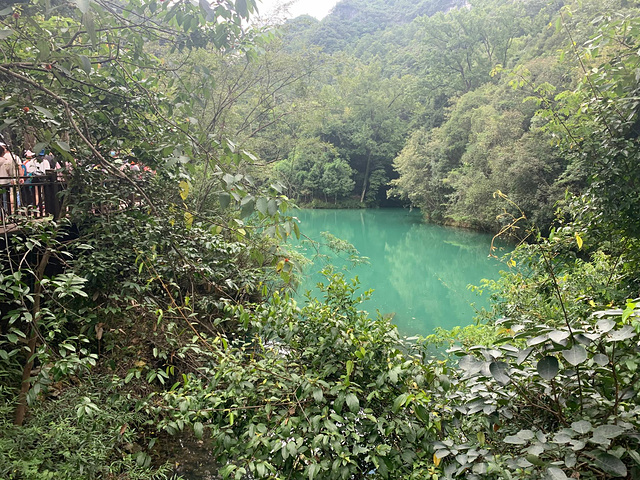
[437, 105]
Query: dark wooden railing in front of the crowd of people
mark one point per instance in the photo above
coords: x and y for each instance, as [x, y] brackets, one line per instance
[36, 196]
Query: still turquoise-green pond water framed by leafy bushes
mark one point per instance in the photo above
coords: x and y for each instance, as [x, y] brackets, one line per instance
[420, 272]
